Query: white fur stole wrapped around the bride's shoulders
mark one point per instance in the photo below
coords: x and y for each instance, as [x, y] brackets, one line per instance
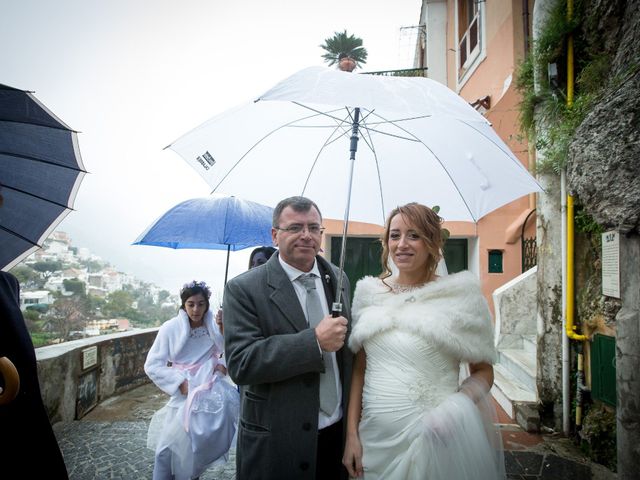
[450, 311]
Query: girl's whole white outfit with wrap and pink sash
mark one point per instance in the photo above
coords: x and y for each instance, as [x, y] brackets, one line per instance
[198, 428]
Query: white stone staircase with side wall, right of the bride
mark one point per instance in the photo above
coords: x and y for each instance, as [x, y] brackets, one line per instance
[514, 386]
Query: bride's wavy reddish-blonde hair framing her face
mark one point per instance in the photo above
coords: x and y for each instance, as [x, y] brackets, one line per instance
[428, 224]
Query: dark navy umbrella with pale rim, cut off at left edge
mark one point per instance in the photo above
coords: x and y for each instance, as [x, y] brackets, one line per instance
[40, 173]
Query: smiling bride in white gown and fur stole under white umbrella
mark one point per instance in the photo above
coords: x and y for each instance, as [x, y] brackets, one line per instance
[414, 332]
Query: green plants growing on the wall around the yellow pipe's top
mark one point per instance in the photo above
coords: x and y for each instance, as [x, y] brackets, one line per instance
[545, 116]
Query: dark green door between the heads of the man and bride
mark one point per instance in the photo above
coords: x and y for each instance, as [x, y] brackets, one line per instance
[361, 258]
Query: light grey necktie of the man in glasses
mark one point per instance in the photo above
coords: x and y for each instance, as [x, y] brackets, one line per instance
[328, 392]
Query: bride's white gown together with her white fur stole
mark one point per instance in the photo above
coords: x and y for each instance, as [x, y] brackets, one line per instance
[415, 423]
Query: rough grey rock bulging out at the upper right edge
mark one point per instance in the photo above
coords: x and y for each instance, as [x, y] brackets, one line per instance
[603, 168]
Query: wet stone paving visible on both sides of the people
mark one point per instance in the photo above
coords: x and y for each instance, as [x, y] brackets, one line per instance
[110, 443]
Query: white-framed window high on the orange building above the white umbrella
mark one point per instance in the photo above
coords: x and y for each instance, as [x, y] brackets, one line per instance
[469, 34]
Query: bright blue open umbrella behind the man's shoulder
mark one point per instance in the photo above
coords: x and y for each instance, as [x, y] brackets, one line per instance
[211, 223]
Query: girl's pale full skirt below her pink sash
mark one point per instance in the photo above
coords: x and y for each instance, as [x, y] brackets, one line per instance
[212, 424]
